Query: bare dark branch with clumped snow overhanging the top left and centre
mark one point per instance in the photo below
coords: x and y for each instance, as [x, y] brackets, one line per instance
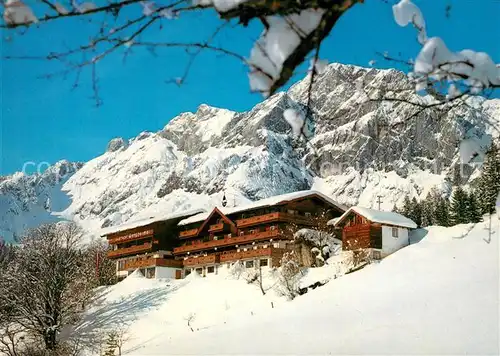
[292, 30]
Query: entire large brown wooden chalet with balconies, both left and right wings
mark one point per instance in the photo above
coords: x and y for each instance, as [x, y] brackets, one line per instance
[258, 233]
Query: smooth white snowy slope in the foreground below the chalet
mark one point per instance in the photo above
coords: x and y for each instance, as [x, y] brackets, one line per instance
[438, 296]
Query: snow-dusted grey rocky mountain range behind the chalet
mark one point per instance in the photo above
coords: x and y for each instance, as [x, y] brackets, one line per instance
[360, 150]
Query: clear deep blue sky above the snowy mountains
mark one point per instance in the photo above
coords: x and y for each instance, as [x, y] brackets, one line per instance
[45, 121]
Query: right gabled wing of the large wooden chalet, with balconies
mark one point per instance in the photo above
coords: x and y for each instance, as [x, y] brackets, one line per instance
[256, 234]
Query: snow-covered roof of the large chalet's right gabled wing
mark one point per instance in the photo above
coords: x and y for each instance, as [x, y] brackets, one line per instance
[278, 199]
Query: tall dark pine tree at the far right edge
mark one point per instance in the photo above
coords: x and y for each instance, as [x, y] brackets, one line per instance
[489, 181]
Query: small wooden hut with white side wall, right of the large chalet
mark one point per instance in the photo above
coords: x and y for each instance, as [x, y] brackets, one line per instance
[383, 232]
